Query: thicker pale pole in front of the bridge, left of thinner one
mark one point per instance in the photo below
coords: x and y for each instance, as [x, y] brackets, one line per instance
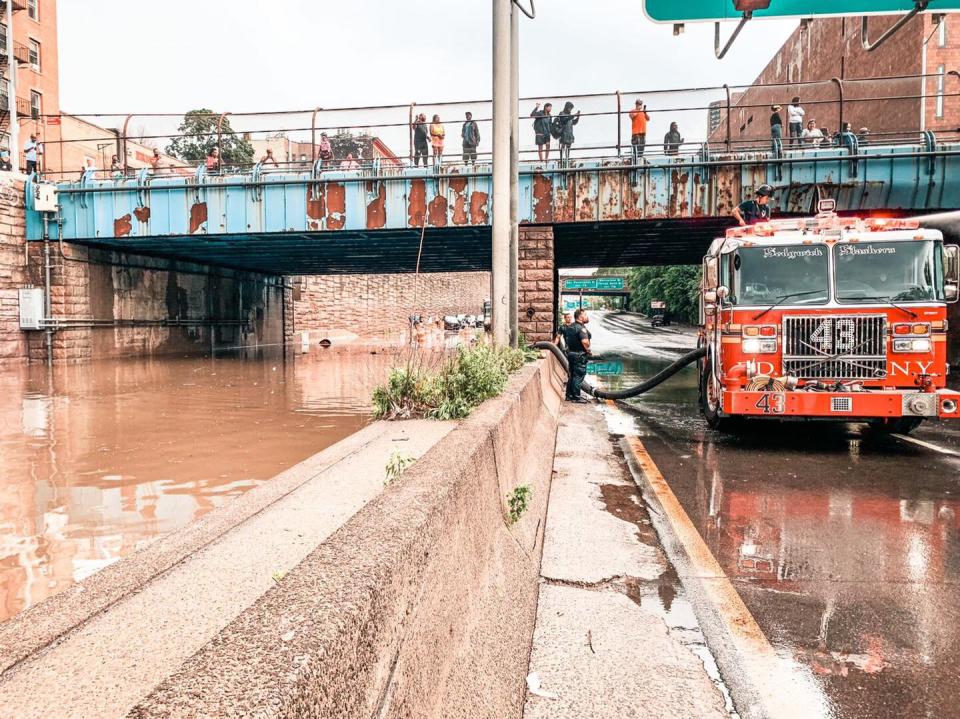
[503, 299]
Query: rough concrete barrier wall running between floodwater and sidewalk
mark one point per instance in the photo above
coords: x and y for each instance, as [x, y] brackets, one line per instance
[422, 605]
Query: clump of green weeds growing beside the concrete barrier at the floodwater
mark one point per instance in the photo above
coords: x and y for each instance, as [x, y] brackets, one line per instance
[473, 375]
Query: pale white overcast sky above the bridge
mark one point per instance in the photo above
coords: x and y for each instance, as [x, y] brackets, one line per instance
[251, 55]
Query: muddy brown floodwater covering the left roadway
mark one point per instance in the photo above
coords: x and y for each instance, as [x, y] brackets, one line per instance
[97, 460]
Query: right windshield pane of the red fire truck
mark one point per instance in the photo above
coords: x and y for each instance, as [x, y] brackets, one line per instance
[907, 271]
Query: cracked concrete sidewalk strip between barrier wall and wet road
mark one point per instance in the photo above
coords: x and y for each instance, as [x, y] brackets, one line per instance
[613, 638]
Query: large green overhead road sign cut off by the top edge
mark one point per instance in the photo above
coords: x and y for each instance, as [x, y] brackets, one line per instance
[672, 11]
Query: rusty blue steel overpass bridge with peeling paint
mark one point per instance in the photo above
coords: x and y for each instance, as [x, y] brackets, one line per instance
[603, 211]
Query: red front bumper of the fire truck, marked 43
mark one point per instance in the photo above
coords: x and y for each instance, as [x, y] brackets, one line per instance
[942, 403]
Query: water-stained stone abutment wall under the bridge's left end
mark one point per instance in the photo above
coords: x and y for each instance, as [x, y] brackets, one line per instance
[128, 305]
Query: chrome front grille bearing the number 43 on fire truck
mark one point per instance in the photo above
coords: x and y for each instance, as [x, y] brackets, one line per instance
[835, 347]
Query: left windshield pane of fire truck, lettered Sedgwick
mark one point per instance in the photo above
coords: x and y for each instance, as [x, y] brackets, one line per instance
[767, 275]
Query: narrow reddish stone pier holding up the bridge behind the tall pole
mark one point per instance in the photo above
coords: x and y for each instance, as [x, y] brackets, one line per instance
[537, 284]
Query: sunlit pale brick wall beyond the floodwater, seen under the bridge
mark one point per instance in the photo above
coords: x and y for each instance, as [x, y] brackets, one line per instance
[377, 307]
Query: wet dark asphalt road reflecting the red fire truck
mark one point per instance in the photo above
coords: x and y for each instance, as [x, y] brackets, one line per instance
[842, 544]
